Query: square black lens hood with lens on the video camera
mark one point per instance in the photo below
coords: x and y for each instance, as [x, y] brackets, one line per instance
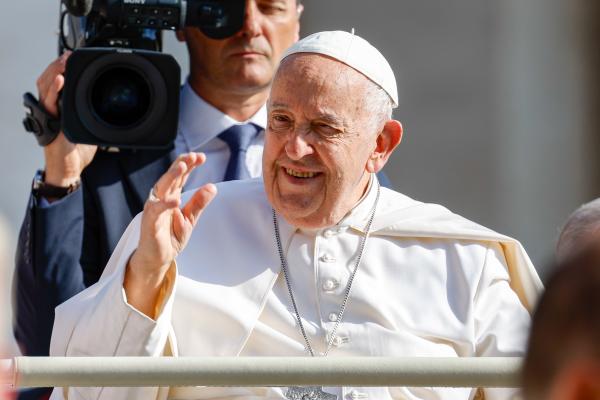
[121, 97]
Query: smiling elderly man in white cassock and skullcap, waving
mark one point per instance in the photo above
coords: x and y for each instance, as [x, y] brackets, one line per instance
[315, 258]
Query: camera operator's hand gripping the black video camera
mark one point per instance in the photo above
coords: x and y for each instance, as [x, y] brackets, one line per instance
[64, 160]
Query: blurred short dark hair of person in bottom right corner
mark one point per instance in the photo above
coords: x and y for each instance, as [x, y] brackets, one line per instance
[566, 322]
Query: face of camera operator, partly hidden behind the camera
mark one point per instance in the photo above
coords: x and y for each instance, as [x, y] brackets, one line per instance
[247, 60]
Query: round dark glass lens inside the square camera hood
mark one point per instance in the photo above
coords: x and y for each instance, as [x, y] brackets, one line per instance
[120, 97]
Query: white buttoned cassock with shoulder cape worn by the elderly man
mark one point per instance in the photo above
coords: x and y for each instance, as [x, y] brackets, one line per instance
[431, 283]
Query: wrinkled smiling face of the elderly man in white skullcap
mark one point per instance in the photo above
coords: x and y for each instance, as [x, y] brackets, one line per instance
[318, 140]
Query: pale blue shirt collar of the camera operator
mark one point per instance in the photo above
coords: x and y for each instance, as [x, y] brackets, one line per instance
[200, 122]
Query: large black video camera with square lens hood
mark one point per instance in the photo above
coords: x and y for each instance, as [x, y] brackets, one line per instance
[120, 89]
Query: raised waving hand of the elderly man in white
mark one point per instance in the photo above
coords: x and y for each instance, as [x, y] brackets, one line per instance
[165, 231]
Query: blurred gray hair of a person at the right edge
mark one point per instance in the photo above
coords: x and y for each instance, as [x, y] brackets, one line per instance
[579, 229]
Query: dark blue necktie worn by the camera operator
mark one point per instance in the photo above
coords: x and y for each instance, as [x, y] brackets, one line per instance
[238, 138]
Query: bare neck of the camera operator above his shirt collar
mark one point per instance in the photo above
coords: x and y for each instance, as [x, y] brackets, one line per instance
[239, 103]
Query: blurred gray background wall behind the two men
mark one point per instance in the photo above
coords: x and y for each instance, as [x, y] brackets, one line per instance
[498, 100]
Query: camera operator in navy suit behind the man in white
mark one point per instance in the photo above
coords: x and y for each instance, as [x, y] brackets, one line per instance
[85, 197]
